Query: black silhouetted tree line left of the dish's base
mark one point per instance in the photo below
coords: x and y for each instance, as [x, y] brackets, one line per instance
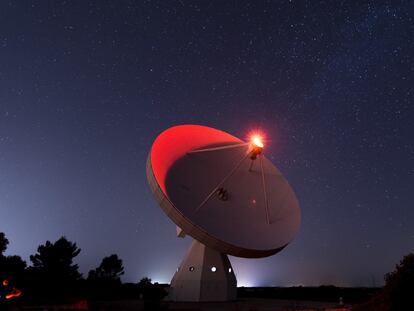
[54, 277]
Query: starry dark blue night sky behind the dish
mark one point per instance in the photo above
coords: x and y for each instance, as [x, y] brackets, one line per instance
[85, 87]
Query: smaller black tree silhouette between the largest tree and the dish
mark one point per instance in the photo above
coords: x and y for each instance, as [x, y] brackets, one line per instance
[110, 269]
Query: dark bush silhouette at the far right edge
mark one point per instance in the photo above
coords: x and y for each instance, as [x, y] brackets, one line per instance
[399, 285]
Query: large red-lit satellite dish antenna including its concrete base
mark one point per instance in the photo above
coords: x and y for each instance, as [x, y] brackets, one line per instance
[225, 194]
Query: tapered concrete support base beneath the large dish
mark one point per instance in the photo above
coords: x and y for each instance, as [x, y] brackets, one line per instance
[204, 275]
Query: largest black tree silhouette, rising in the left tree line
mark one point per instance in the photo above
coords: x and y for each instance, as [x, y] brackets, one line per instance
[55, 260]
